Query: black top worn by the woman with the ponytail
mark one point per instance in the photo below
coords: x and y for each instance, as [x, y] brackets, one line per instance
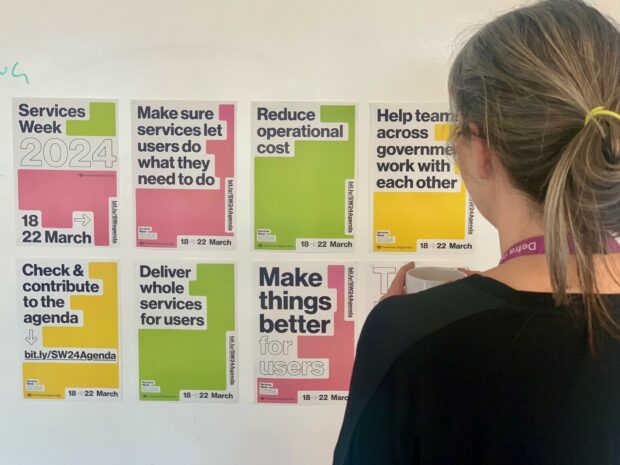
[475, 372]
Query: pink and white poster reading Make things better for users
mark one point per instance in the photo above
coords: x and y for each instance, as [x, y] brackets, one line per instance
[306, 330]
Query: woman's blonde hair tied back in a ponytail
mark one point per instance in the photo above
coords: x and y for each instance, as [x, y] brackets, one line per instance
[528, 79]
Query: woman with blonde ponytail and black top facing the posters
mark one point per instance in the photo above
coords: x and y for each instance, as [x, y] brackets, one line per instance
[519, 364]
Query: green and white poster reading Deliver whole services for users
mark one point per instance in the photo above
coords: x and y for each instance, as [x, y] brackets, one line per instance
[186, 337]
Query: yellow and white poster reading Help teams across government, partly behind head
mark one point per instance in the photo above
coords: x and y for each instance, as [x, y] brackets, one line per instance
[419, 200]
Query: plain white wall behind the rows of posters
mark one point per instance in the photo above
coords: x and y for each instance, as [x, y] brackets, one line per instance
[349, 50]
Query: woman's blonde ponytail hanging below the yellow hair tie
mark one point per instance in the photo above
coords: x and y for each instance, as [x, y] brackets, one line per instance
[575, 224]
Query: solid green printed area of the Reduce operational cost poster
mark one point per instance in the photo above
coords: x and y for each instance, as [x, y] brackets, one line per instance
[304, 196]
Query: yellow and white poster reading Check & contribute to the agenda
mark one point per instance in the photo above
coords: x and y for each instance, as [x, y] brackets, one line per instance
[70, 328]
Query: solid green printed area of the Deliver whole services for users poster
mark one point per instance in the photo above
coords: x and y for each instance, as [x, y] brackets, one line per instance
[178, 359]
